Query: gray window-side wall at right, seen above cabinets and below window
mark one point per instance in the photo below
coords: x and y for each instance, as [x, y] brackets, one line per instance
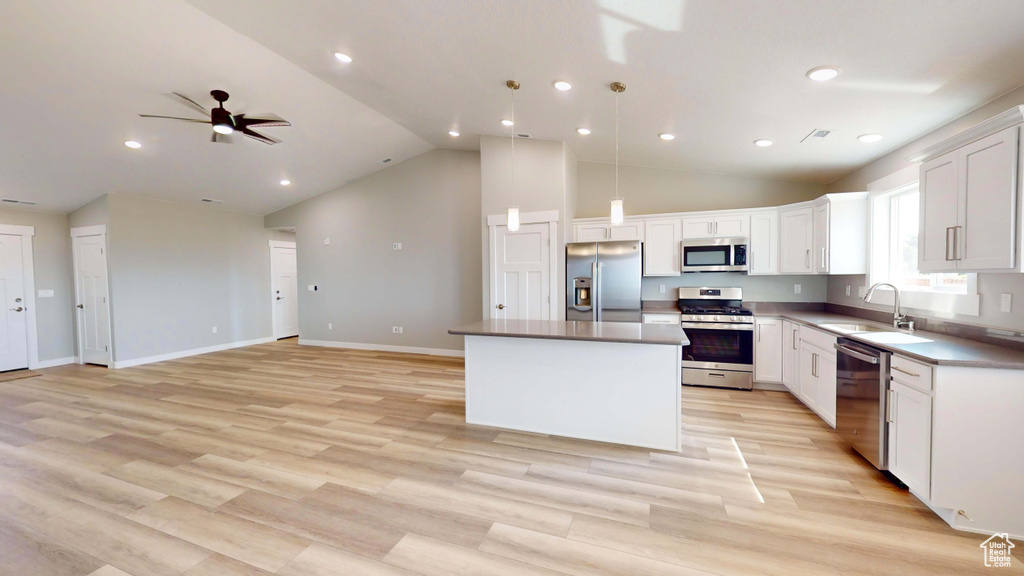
[991, 286]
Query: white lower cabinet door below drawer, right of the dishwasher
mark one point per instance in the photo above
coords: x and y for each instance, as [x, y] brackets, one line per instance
[911, 437]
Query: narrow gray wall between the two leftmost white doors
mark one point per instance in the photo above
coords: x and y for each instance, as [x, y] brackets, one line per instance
[52, 258]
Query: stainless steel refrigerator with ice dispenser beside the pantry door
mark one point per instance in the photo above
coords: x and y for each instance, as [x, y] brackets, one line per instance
[603, 281]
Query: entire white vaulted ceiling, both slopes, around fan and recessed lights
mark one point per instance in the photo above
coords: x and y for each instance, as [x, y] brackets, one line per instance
[717, 73]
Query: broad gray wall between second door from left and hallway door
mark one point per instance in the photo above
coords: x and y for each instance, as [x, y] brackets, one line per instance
[178, 271]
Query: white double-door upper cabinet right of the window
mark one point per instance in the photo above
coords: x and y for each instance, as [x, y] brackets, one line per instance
[970, 192]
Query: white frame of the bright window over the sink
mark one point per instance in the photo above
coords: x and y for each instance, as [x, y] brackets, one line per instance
[880, 270]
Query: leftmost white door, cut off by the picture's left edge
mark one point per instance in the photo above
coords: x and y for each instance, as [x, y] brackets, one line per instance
[14, 342]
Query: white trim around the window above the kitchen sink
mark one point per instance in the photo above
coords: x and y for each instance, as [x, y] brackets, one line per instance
[942, 305]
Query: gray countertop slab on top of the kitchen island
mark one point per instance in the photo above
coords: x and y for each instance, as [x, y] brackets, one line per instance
[623, 333]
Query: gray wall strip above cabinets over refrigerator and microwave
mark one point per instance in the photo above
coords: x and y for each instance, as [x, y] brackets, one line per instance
[656, 191]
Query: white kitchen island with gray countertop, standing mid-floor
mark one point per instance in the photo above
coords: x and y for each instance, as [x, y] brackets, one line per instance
[610, 382]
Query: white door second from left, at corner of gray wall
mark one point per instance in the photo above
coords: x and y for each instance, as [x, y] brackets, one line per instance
[92, 294]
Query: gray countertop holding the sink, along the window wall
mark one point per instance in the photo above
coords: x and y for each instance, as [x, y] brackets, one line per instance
[935, 349]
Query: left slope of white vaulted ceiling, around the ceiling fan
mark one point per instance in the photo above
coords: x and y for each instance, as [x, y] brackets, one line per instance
[77, 75]
